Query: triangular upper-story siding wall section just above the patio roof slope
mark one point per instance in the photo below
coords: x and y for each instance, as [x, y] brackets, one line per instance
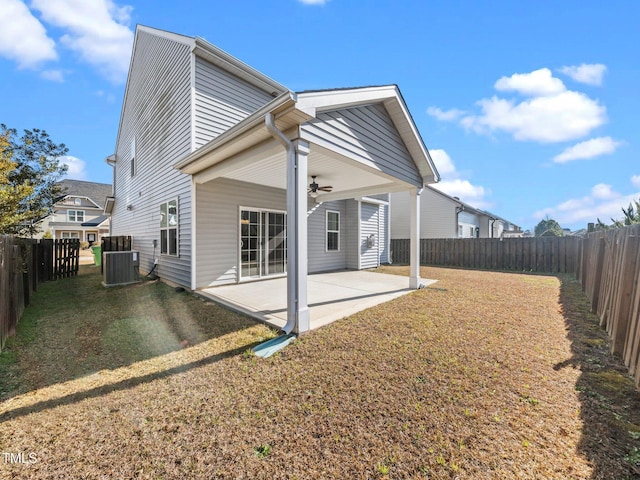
[221, 101]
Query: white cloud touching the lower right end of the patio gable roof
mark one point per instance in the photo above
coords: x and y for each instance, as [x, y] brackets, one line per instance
[452, 184]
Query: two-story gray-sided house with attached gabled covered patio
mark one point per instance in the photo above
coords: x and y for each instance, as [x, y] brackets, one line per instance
[216, 168]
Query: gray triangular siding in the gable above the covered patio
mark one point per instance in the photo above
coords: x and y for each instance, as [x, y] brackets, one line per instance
[367, 134]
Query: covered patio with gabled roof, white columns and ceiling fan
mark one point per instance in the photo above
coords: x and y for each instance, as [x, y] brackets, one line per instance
[362, 142]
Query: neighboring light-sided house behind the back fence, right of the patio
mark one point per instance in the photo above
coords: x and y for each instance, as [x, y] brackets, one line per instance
[444, 216]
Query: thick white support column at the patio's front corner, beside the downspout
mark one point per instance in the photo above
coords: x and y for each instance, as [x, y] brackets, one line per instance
[297, 268]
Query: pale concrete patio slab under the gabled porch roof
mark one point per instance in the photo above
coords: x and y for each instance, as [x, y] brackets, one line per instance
[331, 296]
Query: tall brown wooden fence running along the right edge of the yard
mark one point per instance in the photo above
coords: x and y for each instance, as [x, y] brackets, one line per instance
[610, 276]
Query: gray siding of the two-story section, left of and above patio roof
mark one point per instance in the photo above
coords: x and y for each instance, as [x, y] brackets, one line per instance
[158, 114]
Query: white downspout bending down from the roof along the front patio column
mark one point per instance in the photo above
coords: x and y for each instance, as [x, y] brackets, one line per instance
[292, 231]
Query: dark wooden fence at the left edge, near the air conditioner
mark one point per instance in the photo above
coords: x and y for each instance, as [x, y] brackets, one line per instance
[24, 264]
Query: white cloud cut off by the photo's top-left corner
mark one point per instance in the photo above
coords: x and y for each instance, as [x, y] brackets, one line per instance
[22, 37]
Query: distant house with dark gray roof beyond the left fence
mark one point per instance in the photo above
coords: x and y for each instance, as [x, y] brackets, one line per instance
[79, 212]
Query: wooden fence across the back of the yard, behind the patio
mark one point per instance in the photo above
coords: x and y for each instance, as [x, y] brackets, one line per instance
[537, 254]
